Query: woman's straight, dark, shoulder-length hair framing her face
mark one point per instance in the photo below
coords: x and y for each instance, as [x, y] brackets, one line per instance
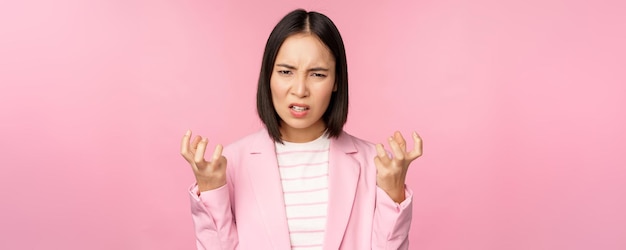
[301, 21]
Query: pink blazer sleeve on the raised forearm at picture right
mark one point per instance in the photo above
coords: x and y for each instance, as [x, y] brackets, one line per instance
[392, 221]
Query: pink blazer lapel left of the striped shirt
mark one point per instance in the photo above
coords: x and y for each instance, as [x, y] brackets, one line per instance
[268, 190]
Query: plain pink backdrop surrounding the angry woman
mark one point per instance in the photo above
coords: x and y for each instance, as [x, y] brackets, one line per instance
[521, 106]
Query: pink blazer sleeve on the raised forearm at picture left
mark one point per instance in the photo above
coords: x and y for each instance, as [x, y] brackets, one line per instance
[213, 219]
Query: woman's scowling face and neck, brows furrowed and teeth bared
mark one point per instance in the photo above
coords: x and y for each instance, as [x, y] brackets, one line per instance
[302, 83]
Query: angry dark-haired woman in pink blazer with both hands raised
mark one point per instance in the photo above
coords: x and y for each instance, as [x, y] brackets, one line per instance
[302, 182]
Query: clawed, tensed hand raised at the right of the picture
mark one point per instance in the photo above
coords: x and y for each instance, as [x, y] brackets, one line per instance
[392, 170]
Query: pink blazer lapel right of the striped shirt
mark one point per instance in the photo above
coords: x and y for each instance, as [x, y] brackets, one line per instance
[343, 176]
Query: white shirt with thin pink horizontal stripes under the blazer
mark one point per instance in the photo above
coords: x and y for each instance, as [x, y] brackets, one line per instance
[304, 175]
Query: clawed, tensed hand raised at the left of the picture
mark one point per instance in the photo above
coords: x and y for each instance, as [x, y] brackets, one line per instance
[209, 174]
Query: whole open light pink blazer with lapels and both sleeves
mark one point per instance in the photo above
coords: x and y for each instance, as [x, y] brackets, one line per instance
[249, 212]
